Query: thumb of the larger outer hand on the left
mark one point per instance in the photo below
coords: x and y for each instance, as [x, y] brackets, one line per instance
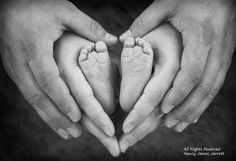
[83, 25]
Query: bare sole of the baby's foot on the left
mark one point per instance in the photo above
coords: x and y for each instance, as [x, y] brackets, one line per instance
[95, 64]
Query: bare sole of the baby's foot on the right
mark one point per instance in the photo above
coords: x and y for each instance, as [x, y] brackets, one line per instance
[136, 67]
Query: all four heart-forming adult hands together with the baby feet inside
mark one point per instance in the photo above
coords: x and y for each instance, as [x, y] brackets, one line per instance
[207, 30]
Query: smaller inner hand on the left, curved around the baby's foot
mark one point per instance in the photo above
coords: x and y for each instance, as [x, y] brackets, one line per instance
[94, 118]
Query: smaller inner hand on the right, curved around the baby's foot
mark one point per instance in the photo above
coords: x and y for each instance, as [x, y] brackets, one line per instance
[165, 42]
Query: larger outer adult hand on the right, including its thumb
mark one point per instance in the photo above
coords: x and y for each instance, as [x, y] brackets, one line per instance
[208, 32]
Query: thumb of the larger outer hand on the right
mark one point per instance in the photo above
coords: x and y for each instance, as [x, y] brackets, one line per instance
[150, 18]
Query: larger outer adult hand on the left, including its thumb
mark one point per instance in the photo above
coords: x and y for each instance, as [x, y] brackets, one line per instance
[29, 29]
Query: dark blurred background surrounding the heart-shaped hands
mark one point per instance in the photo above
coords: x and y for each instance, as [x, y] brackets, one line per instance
[24, 136]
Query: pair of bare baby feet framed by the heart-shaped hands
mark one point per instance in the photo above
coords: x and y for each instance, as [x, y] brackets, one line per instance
[136, 67]
